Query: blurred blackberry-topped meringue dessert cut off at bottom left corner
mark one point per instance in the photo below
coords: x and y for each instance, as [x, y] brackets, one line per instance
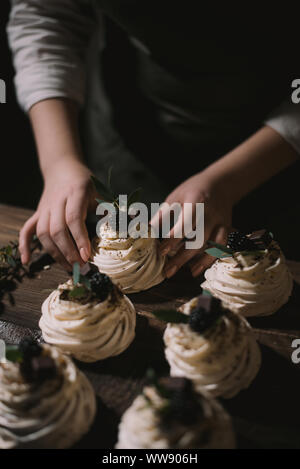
[45, 402]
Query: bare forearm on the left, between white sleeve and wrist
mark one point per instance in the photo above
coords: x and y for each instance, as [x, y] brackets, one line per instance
[55, 127]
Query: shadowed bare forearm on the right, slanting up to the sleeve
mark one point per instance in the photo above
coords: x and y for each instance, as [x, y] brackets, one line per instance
[251, 164]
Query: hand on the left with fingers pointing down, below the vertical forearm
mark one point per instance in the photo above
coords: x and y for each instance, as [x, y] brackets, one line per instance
[59, 221]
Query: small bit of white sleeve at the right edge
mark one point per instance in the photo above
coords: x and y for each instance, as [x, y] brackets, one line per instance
[286, 121]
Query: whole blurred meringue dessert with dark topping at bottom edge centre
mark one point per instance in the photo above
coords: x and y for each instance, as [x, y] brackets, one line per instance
[170, 415]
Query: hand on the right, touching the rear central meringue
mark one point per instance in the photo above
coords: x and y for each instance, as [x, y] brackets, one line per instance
[217, 215]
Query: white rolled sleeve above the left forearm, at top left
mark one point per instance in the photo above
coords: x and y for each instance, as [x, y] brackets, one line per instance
[49, 40]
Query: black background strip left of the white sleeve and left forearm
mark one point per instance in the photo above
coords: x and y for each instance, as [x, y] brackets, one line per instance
[21, 183]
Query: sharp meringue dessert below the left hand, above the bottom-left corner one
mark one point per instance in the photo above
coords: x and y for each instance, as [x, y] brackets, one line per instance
[91, 322]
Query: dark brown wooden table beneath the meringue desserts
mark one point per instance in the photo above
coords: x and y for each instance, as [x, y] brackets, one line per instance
[266, 415]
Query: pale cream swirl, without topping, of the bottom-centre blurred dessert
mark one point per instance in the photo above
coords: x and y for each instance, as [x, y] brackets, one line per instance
[141, 426]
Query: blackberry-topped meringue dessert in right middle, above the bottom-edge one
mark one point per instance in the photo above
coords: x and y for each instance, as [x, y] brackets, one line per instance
[213, 347]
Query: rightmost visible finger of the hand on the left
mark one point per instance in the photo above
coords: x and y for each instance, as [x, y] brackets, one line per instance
[76, 210]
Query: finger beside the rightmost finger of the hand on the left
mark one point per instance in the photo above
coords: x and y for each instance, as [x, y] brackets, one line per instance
[61, 237]
